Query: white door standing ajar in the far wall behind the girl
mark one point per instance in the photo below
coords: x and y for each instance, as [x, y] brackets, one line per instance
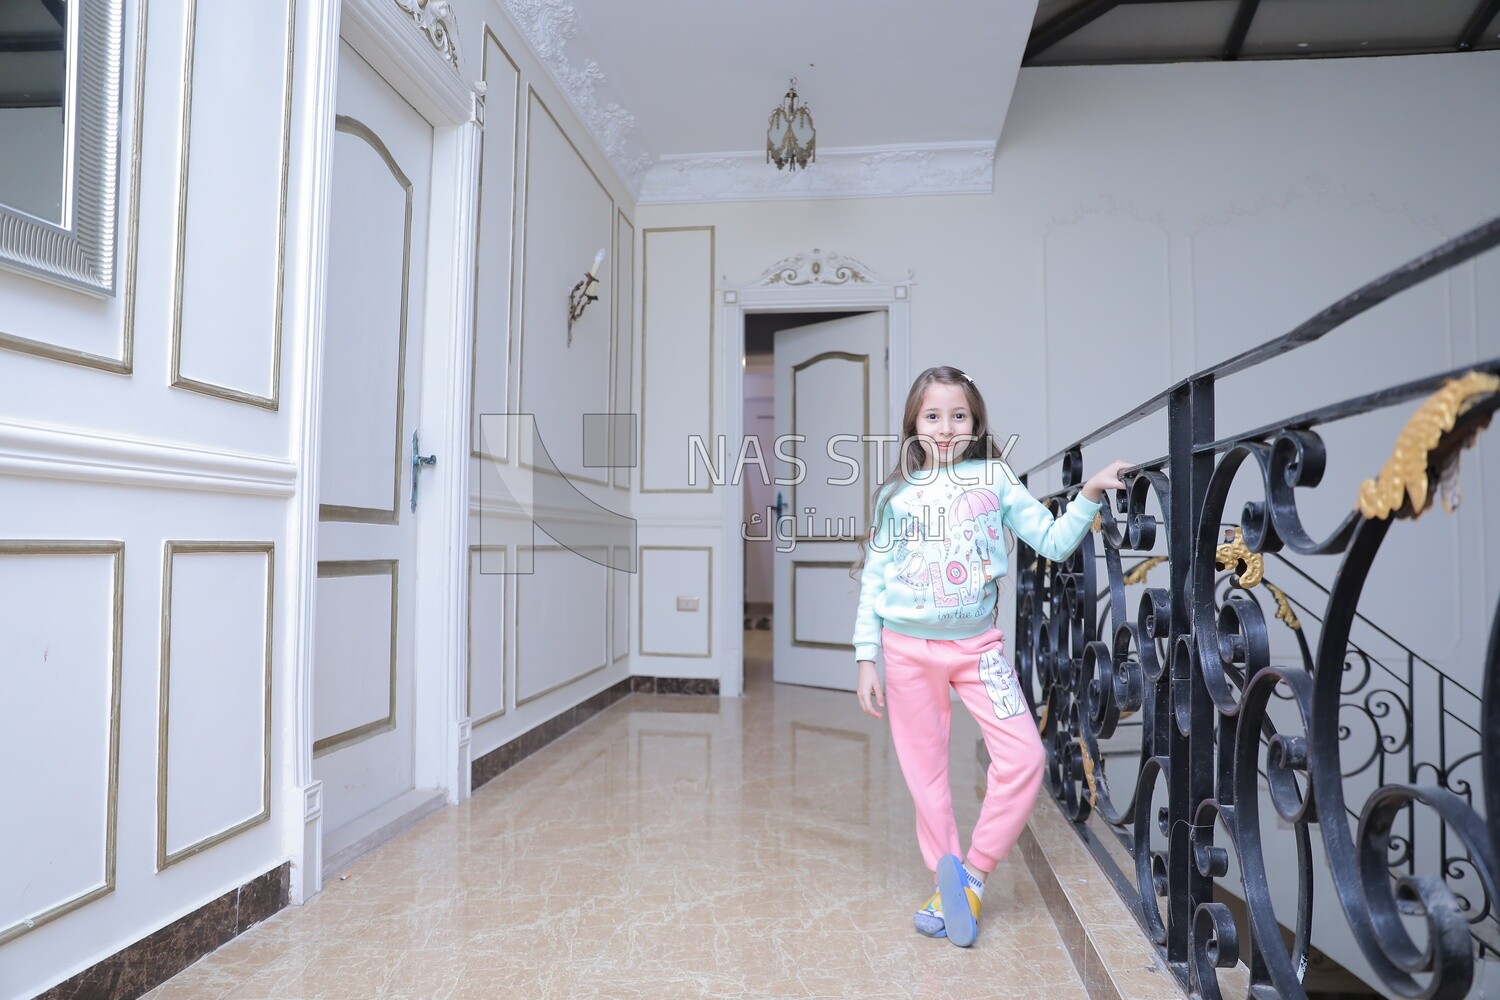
[830, 389]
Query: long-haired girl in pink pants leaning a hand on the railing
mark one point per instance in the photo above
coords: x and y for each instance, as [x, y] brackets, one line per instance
[928, 597]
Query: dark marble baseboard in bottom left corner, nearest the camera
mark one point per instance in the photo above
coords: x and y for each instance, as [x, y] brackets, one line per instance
[139, 969]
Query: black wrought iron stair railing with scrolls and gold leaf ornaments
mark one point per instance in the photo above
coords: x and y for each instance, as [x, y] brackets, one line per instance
[1237, 740]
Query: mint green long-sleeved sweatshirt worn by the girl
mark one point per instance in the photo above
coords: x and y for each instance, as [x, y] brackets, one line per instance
[932, 566]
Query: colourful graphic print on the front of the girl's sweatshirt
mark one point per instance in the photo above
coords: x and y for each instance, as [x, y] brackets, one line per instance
[943, 552]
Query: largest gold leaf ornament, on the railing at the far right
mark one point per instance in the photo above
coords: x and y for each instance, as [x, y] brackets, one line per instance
[1406, 472]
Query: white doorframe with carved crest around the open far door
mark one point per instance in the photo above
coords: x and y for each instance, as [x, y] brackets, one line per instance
[814, 281]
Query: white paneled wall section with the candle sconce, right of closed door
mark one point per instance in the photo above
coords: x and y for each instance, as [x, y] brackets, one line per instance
[548, 627]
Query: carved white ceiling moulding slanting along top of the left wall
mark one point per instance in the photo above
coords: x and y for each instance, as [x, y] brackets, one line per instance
[557, 37]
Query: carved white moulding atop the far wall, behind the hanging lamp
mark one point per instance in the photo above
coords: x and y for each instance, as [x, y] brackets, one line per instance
[872, 172]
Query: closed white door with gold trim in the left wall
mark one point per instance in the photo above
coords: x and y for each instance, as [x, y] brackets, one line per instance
[364, 749]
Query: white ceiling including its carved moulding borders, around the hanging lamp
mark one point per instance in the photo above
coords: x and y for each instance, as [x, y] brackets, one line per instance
[908, 97]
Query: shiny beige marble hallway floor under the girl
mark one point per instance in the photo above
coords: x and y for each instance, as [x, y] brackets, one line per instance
[670, 848]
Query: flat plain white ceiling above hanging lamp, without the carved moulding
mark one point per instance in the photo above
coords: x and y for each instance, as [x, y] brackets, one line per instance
[703, 76]
